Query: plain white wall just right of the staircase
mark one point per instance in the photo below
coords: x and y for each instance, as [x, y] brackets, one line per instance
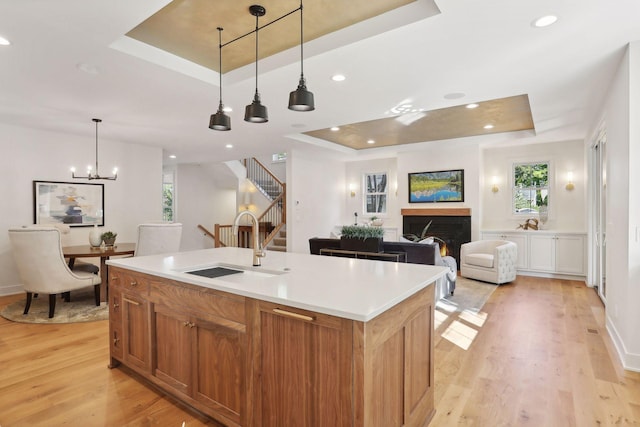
[315, 197]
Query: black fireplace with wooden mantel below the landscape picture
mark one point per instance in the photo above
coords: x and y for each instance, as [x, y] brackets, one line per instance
[453, 226]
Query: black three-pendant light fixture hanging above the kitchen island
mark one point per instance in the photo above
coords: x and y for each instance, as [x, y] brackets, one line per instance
[300, 99]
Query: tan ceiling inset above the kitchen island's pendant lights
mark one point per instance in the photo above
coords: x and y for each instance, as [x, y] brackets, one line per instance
[187, 28]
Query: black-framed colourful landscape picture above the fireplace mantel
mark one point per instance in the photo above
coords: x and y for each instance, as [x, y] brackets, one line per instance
[437, 186]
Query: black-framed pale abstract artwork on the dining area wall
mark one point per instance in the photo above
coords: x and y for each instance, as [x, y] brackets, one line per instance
[71, 203]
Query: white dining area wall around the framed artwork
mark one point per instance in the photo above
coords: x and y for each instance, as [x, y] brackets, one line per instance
[30, 154]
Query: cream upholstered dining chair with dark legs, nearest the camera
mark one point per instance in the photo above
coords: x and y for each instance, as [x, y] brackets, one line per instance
[37, 252]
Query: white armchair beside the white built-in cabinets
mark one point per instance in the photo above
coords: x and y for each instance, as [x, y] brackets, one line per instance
[489, 260]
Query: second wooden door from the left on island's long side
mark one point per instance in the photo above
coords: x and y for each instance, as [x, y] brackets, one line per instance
[172, 336]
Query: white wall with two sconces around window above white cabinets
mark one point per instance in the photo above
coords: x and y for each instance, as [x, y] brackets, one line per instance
[567, 209]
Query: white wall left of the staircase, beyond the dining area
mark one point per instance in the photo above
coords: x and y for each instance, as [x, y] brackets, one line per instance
[200, 201]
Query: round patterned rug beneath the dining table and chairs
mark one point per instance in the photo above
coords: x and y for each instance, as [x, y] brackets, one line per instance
[81, 308]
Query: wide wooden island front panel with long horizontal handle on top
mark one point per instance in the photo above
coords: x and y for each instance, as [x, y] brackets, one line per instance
[305, 368]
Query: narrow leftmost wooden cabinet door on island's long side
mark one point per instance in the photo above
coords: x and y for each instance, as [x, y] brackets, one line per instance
[135, 312]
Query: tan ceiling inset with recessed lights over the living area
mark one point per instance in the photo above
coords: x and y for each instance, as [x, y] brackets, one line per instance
[505, 114]
